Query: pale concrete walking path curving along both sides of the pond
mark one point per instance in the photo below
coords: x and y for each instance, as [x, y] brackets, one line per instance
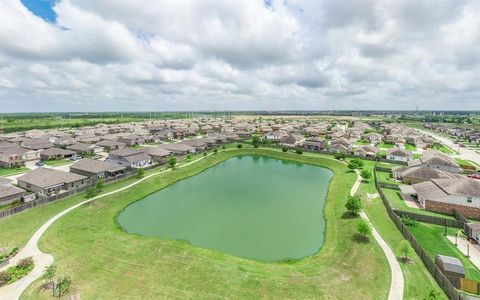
[42, 260]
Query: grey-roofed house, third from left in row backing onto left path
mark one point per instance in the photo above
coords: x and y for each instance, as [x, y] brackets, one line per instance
[96, 168]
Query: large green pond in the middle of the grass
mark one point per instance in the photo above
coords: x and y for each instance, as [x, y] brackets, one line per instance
[249, 206]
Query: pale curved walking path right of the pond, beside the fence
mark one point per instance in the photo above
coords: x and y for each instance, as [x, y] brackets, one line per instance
[397, 282]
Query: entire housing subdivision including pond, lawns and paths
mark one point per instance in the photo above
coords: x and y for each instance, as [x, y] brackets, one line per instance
[272, 205]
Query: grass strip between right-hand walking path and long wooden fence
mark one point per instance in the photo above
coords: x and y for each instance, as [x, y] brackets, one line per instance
[414, 272]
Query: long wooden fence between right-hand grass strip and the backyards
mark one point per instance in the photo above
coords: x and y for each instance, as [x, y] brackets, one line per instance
[442, 281]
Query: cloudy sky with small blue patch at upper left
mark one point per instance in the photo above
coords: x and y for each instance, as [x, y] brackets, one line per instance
[109, 55]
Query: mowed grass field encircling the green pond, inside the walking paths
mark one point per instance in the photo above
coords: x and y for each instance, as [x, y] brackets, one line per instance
[104, 262]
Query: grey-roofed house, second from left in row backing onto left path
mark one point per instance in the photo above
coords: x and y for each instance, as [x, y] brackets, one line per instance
[47, 182]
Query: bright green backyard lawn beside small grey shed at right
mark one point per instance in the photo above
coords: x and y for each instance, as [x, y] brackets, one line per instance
[432, 239]
